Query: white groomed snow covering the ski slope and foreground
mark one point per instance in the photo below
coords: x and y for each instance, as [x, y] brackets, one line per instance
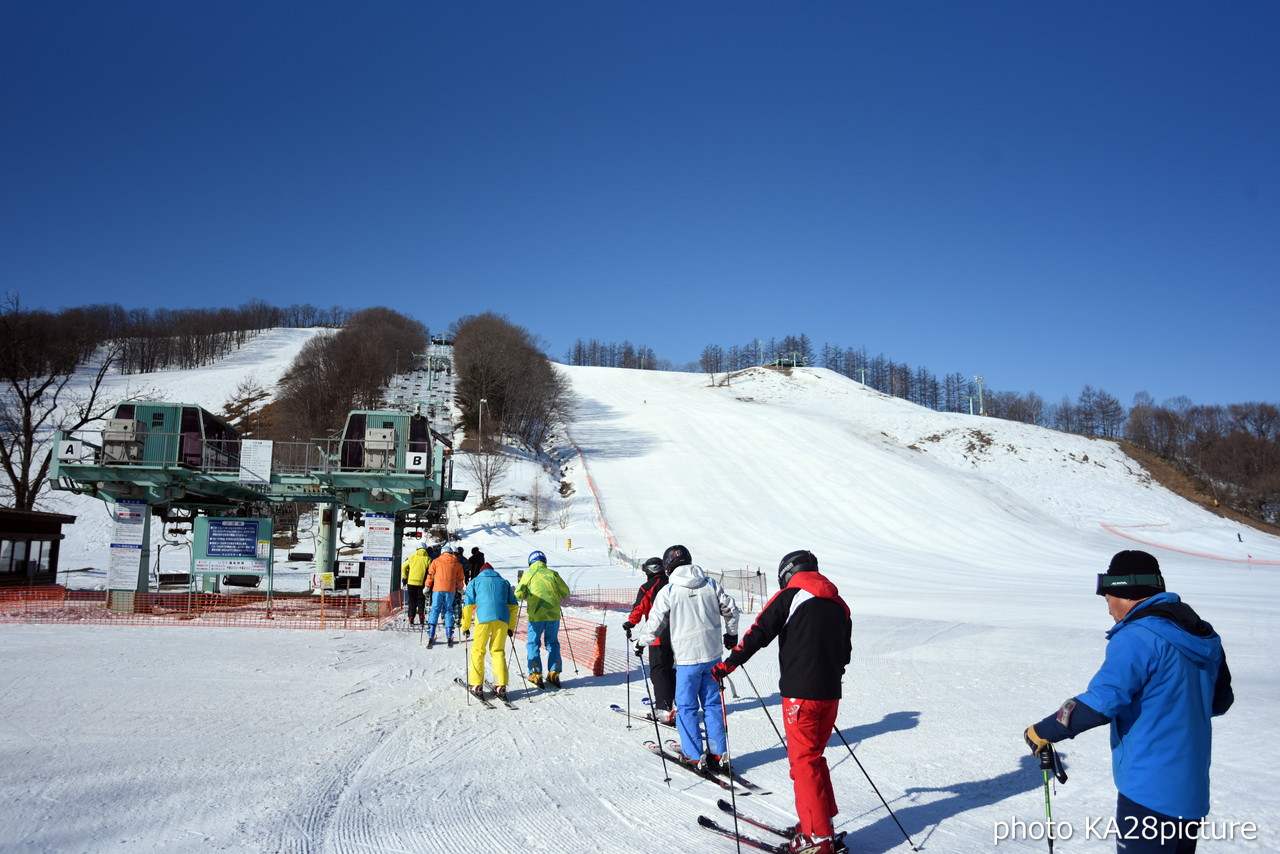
[967, 549]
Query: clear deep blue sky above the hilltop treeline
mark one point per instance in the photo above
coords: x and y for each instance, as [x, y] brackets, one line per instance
[1049, 195]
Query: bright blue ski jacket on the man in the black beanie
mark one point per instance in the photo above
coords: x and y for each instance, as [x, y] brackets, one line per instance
[1160, 684]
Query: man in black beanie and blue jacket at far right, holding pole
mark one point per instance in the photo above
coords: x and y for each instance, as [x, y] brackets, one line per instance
[1163, 679]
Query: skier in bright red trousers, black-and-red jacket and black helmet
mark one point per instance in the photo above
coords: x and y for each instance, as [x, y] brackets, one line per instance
[815, 636]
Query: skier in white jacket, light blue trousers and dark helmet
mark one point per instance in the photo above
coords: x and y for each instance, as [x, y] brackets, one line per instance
[691, 606]
